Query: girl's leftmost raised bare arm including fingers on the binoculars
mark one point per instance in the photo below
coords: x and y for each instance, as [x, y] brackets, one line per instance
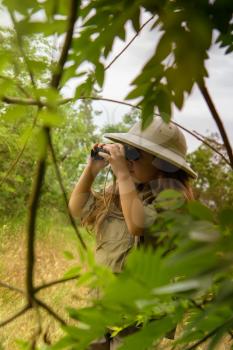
[82, 189]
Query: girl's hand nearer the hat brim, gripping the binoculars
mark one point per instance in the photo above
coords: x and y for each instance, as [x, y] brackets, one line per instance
[116, 158]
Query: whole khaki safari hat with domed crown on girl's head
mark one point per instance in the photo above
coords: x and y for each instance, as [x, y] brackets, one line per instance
[166, 141]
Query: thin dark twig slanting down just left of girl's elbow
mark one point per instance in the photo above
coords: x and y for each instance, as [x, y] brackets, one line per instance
[64, 193]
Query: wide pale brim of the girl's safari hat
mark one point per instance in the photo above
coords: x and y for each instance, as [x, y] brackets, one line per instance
[154, 149]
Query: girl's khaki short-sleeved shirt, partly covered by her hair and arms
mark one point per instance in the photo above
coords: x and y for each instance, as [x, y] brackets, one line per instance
[114, 241]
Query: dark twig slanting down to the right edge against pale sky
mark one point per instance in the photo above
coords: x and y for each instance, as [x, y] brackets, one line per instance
[217, 120]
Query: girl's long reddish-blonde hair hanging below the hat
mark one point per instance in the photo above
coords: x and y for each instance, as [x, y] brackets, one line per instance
[109, 199]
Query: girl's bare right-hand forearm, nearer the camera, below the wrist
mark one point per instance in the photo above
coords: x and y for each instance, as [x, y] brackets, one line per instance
[132, 207]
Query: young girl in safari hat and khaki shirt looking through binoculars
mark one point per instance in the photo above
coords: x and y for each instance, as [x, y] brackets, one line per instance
[144, 162]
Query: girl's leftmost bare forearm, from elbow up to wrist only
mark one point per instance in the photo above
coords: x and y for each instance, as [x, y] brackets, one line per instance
[81, 191]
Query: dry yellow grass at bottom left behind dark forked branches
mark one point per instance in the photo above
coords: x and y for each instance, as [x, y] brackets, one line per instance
[50, 265]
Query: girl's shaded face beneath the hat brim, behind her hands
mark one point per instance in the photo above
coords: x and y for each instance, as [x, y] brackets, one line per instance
[142, 170]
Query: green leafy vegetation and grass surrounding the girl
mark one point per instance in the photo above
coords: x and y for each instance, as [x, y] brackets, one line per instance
[44, 138]
